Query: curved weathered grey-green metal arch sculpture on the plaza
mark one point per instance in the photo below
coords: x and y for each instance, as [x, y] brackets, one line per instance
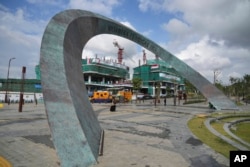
[75, 129]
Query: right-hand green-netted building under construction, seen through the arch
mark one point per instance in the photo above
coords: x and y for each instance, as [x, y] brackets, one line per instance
[158, 73]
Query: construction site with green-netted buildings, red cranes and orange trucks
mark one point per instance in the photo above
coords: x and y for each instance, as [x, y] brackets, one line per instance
[100, 75]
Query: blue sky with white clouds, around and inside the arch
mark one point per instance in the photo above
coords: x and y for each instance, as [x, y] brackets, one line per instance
[209, 35]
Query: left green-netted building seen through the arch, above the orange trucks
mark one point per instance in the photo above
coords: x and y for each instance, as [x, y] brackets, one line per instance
[100, 74]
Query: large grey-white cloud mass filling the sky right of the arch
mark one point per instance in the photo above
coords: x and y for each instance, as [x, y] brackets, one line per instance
[207, 34]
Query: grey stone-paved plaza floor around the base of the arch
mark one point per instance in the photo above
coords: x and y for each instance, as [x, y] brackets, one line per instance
[137, 135]
